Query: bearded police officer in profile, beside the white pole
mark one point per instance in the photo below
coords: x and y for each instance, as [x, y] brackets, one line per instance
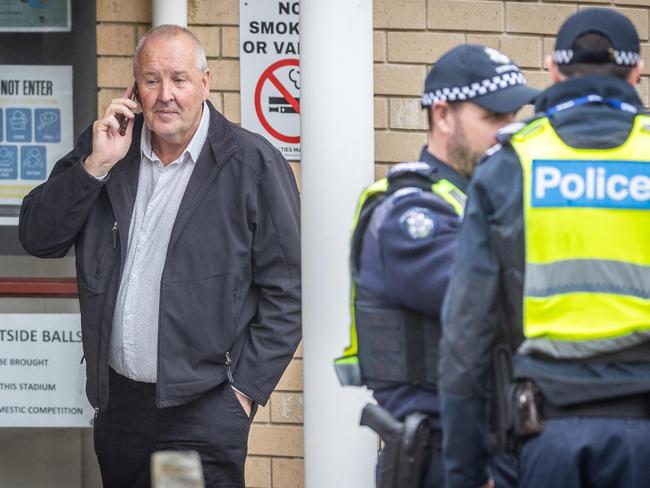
[403, 246]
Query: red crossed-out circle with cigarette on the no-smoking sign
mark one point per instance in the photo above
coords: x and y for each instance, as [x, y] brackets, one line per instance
[277, 100]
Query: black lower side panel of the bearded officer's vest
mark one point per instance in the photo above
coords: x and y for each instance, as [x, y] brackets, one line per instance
[396, 346]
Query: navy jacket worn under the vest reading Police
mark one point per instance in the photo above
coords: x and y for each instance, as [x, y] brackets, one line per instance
[484, 301]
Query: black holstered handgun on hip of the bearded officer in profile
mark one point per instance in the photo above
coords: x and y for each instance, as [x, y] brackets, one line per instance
[406, 455]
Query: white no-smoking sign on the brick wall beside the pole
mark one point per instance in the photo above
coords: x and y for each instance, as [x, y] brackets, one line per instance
[270, 72]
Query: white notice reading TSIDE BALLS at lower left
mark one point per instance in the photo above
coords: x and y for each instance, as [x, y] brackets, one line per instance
[42, 380]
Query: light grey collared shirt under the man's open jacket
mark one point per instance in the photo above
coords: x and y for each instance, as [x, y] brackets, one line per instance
[134, 337]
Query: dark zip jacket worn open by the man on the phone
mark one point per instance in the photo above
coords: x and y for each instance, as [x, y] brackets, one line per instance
[231, 280]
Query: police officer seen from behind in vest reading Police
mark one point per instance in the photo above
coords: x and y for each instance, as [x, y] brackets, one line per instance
[555, 245]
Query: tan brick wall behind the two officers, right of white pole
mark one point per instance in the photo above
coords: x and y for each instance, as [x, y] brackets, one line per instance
[411, 34]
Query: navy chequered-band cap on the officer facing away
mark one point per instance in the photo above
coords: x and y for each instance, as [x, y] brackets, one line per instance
[616, 27]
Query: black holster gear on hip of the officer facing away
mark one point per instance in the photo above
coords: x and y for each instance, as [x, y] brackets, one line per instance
[518, 404]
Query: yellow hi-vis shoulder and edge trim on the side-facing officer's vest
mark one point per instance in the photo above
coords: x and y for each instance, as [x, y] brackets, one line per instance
[348, 367]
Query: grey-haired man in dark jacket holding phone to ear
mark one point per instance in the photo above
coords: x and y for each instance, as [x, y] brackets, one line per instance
[186, 235]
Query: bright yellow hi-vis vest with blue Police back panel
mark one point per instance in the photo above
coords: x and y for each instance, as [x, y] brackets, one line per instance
[587, 233]
